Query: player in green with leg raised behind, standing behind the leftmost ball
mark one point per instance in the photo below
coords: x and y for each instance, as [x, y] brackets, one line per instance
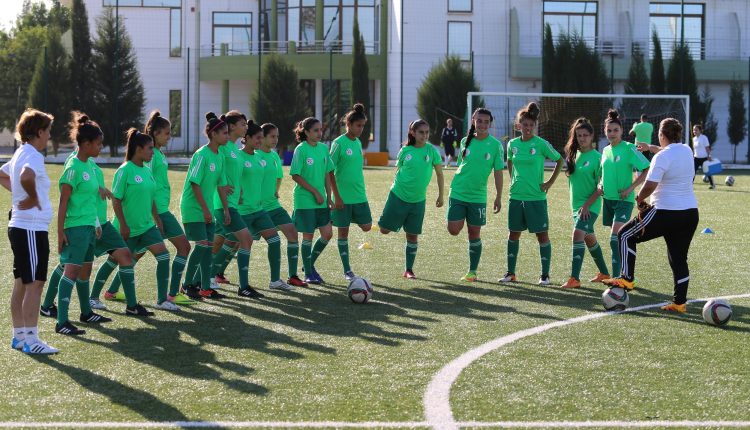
[348, 184]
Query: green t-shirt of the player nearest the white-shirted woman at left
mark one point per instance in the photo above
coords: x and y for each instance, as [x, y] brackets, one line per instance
[82, 178]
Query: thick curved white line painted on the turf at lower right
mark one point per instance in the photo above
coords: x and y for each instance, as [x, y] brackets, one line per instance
[436, 401]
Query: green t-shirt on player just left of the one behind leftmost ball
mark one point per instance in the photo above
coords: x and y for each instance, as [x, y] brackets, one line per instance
[312, 163]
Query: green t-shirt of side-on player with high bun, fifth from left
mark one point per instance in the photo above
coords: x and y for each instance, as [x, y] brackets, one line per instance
[206, 170]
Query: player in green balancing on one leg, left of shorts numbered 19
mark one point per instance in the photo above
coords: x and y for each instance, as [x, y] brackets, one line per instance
[405, 206]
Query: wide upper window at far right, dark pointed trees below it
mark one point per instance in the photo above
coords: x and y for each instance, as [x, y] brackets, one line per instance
[667, 18]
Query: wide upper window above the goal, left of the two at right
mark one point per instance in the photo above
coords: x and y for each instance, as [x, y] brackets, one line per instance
[572, 17]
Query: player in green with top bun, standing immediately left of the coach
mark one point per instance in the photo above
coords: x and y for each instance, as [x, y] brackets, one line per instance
[619, 159]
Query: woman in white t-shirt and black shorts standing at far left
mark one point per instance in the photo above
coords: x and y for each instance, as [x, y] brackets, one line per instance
[25, 176]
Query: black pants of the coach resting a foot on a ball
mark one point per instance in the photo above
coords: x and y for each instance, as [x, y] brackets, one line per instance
[677, 227]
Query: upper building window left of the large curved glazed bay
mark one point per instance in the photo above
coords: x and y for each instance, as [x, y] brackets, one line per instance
[235, 29]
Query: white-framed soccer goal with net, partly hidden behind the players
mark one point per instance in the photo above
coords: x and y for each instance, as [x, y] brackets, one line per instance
[558, 111]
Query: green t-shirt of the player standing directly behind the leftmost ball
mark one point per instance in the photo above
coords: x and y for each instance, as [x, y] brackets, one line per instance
[350, 179]
